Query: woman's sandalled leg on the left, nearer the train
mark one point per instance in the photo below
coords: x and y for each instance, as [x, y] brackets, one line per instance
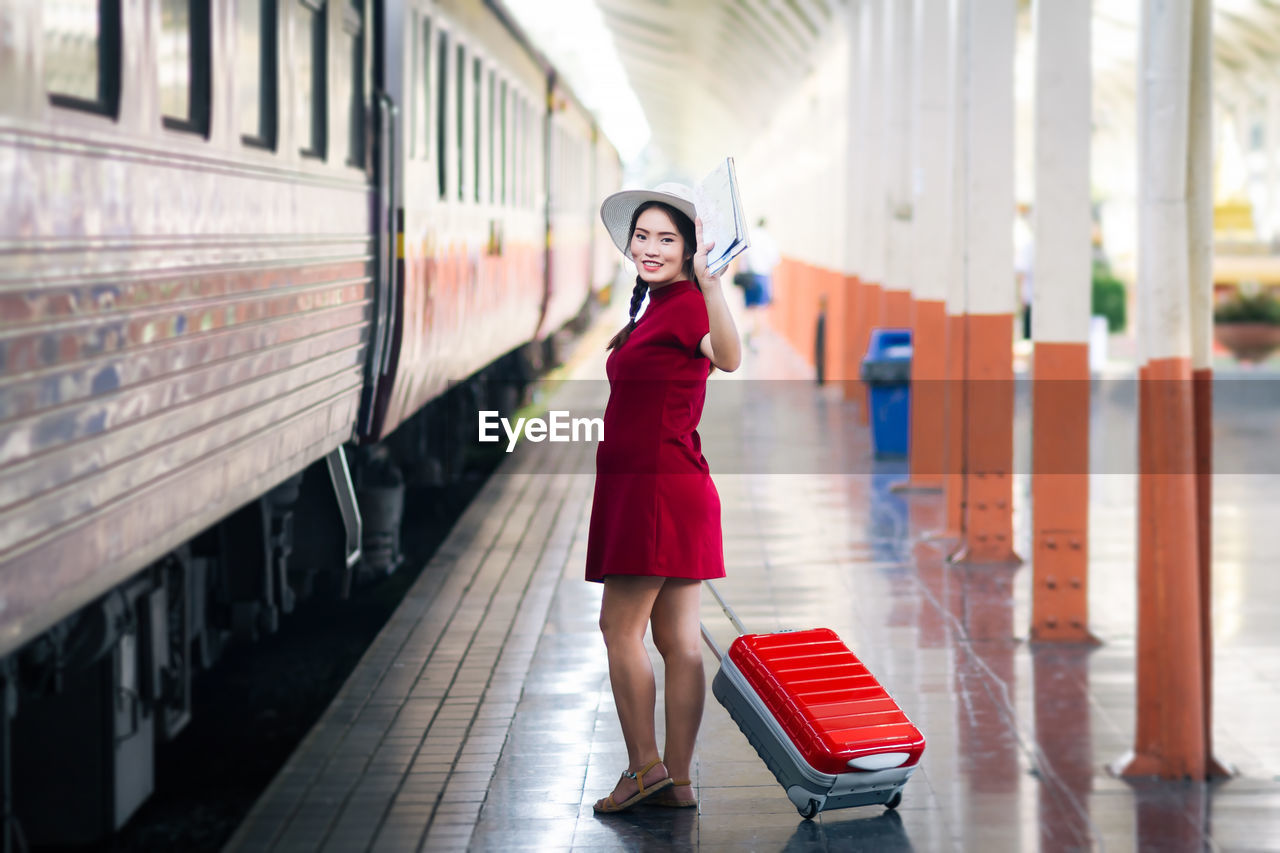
[624, 617]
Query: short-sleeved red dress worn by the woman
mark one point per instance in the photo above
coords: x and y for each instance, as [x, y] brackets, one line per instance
[656, 510]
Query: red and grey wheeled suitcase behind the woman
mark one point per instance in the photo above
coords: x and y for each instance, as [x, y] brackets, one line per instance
[831, 735]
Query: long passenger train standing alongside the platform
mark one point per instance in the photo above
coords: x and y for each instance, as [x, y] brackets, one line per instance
[259, 261]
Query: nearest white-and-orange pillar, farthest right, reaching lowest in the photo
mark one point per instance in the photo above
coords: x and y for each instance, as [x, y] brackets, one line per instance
[1171, 724]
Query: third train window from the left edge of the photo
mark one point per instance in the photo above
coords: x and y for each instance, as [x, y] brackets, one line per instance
[255, 71]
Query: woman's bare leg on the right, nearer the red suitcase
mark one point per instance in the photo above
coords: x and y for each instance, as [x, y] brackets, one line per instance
[678, 637]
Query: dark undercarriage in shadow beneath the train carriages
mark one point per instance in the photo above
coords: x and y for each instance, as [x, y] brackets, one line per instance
[89, 703]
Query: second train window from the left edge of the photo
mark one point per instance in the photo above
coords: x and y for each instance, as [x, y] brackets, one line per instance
[184, 65]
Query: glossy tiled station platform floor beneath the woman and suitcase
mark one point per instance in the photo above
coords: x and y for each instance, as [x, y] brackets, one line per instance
[483, 719]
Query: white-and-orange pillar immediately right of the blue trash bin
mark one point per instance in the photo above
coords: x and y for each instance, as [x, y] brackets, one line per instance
[932, 95]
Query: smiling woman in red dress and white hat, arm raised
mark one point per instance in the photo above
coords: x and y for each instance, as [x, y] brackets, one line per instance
[656, 528]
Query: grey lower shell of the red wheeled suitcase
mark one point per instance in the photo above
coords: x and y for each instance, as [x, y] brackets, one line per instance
[808, 788]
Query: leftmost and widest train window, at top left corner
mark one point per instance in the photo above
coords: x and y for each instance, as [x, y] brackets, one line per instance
[83, 54]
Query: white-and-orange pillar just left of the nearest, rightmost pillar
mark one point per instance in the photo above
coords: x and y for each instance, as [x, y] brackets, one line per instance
[1062, 285]
